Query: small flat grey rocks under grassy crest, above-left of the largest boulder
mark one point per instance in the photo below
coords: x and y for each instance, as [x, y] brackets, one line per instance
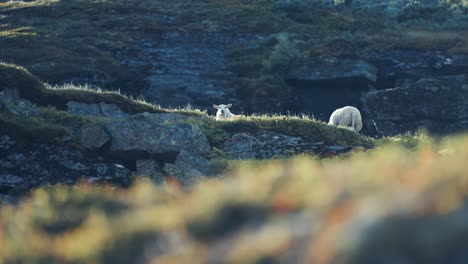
[102, 109]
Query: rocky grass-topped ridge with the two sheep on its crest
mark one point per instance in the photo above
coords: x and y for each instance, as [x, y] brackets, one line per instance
[69, 134]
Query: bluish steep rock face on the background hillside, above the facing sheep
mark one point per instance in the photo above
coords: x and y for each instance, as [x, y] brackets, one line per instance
[189, 68]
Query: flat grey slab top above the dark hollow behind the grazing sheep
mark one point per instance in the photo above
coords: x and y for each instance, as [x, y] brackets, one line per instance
[332, 68]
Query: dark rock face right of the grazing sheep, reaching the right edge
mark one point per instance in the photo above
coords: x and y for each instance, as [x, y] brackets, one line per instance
[438, 104]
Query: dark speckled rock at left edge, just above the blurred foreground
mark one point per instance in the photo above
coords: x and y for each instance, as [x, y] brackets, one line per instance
[27, 165]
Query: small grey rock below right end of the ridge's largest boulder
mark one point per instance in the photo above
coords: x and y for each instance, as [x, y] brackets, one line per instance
[188, 168]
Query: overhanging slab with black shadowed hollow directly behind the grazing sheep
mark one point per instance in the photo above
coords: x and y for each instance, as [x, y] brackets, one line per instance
[323, 85]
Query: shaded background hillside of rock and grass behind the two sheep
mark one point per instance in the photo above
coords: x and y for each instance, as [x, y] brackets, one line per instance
[264, 56]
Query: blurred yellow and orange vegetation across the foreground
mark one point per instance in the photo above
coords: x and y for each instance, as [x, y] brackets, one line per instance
[387, 205]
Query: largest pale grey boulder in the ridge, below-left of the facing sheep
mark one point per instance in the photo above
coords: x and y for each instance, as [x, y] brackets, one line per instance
[155, 134]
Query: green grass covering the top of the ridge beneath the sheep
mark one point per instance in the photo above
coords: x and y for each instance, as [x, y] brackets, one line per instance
[53, 100]
